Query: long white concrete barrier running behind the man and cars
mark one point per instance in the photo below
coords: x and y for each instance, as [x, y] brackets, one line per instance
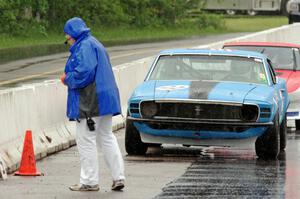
[41, 107]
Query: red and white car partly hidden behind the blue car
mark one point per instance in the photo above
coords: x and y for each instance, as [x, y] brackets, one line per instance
[286, 62]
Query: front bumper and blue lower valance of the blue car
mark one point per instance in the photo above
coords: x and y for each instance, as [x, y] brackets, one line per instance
[199, 129]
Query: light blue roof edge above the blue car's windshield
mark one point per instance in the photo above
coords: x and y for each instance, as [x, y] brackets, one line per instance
[225, 52]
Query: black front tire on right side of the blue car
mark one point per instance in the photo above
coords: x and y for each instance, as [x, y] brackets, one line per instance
[267, 146]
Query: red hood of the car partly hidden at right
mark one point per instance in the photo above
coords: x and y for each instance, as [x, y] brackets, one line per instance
[291, 77]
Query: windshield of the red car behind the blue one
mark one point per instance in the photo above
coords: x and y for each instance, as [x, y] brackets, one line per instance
[281, 57]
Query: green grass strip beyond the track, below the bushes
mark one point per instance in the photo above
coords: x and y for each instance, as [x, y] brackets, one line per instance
[135, 35]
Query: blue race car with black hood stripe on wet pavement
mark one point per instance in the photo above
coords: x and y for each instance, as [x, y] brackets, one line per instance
[209, 98]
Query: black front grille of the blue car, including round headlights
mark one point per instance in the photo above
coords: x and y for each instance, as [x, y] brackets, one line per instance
[200, 111]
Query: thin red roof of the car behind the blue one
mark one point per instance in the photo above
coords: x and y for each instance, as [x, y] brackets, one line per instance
[271, 44]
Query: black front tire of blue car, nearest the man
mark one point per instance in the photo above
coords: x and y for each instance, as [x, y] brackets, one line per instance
[133, 142]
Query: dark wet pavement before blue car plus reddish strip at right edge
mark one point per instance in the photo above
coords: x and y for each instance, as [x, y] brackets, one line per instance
[228, 173]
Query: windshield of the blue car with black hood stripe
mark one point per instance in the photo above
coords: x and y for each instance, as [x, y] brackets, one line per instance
[210, 68]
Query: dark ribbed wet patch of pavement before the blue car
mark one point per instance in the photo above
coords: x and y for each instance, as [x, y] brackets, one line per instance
[229, 177]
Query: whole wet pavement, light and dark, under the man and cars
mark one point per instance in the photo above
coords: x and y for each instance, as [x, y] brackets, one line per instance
[171, 172]
